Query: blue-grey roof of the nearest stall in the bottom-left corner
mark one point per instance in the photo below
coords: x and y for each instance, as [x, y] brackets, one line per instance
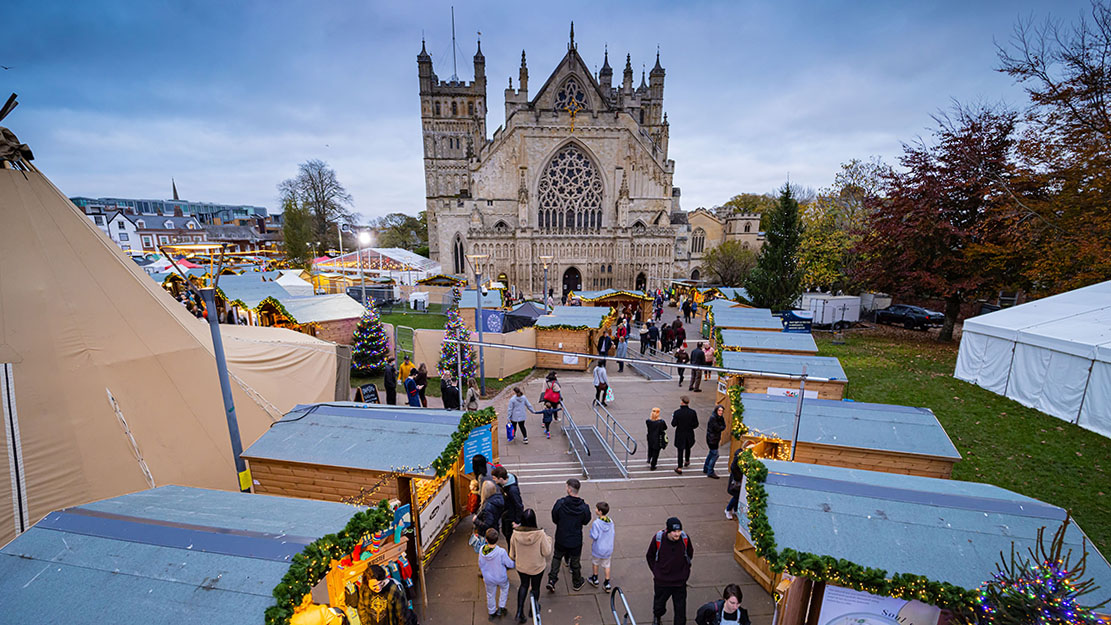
[169, 556]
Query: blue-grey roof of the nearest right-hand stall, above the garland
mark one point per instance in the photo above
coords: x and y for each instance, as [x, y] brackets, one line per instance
[945, 530]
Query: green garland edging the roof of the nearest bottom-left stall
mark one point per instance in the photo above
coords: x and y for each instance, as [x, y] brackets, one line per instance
[313, 564]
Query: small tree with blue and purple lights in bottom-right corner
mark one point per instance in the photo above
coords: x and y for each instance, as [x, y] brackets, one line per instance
[1042, 589]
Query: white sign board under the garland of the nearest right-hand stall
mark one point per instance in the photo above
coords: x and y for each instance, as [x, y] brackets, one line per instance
[845, 607]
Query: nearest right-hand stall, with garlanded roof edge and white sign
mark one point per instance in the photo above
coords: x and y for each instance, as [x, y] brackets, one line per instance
[840, 546]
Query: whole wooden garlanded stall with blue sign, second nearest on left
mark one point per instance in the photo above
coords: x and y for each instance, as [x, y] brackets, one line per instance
[362, 455]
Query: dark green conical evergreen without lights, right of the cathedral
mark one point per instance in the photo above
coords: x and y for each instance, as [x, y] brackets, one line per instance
[777, 281]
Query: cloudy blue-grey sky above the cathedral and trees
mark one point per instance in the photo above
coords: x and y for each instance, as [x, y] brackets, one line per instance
[228, 97]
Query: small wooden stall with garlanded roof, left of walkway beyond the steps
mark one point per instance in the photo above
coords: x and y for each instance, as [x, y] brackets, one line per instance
[572, 329]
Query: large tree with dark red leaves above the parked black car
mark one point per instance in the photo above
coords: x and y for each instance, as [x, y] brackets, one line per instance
[940, 220]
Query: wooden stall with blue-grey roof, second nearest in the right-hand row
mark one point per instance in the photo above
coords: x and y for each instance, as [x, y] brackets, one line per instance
[852, 435]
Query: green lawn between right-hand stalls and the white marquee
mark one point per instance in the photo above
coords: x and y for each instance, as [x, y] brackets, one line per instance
[1002, 441]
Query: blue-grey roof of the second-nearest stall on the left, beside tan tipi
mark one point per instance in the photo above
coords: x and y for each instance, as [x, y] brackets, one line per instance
[353, 436]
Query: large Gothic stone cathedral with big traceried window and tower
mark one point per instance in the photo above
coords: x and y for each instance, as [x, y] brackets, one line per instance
[579, 174]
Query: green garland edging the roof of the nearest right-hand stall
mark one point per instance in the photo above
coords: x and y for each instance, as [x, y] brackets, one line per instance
[839, 572]
